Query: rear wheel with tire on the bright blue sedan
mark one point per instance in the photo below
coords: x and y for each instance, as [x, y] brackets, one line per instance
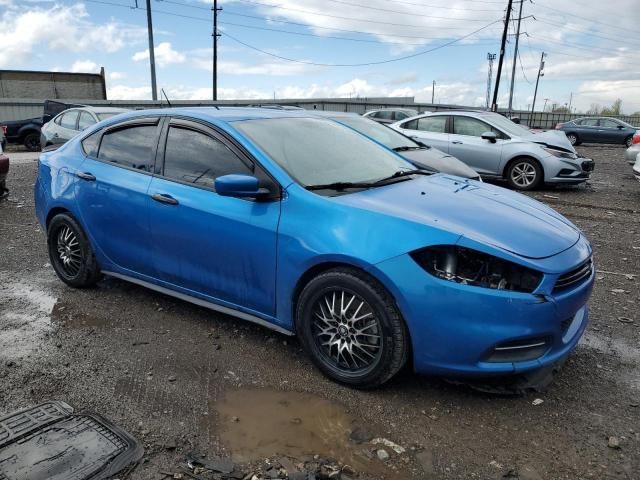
[70, 252]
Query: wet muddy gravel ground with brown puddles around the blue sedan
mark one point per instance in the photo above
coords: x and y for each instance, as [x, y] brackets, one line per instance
[188, 381]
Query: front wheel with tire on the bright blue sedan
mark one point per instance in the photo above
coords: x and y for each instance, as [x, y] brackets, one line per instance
[351, 328]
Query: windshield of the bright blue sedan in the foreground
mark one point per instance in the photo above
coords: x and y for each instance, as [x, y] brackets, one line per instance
[317, 151]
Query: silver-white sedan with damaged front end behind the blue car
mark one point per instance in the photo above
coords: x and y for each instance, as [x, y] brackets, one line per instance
[494, 146]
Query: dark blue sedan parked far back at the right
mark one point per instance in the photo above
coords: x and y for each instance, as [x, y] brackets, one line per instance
[598, 130]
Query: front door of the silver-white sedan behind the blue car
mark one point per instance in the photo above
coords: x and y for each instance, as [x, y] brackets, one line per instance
[466, 143]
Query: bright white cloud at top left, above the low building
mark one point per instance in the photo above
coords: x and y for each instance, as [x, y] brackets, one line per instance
[59, 28]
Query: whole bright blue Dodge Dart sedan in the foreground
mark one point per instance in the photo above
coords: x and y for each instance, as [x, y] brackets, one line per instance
[303, 225]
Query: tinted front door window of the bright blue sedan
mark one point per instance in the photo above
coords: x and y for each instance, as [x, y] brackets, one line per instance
[195, 157]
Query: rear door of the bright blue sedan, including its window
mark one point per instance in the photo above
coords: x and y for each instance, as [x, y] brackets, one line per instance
[113, 194]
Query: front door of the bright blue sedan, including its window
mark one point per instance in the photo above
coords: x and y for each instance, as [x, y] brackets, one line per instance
[220, 247]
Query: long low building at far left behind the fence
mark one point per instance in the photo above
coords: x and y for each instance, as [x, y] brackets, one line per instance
[23, 84]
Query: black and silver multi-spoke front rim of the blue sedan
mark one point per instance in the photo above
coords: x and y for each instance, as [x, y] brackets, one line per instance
[346, 331]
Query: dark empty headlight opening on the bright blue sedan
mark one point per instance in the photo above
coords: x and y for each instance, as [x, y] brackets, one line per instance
[470, 267]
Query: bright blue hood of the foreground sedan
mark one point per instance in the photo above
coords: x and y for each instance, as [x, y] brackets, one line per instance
[484, 213]
